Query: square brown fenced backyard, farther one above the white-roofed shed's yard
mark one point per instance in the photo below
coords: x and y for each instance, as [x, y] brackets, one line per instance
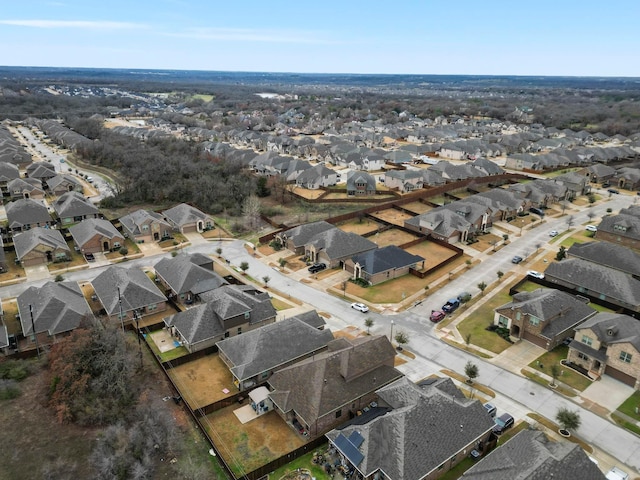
[201, 381]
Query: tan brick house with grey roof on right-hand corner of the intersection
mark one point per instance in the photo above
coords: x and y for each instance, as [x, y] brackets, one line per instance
[544, 317]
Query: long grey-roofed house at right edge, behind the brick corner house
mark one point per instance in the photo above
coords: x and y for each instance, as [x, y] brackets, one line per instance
[596, 281]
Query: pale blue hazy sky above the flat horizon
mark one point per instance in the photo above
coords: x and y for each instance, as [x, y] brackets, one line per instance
[515, 37]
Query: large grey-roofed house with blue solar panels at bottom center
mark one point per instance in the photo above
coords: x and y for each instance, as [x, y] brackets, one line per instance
[413, 432]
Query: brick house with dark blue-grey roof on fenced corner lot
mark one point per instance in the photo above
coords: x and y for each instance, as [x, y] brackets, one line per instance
[381, 264]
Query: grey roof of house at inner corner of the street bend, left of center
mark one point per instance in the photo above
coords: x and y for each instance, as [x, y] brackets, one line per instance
[183, 274]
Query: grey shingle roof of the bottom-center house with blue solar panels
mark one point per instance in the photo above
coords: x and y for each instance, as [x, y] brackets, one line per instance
[424, 429]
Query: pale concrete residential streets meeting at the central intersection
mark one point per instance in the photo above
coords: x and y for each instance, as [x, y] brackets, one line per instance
[515, 393]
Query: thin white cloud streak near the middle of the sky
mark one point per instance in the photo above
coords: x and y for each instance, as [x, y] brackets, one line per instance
[250, 35]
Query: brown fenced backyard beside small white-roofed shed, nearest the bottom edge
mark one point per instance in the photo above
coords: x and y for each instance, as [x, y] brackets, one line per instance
[247, 446]
